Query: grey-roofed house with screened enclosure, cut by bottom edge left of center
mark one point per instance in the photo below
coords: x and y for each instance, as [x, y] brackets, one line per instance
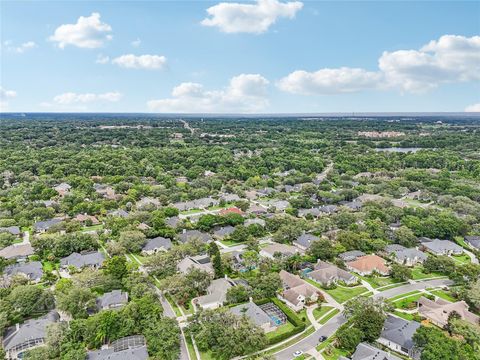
[127, 348]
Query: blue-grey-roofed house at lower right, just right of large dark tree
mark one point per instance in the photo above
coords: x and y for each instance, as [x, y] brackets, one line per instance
[397, 334]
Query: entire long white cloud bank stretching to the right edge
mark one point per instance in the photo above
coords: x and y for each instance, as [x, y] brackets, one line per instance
[451, 58]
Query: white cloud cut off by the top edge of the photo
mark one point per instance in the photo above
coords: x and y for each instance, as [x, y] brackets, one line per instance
[249, 18]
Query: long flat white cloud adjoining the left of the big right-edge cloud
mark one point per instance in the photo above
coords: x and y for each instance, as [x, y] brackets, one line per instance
[329, 81]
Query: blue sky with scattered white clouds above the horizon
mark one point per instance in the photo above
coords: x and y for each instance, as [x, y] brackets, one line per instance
[264, 56]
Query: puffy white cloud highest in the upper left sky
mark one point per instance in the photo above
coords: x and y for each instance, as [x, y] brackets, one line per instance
[88, 32]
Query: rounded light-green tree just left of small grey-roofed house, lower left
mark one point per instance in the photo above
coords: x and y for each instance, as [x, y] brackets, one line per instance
[77, 301]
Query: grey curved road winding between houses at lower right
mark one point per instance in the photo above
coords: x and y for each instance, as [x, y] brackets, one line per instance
[334, 323]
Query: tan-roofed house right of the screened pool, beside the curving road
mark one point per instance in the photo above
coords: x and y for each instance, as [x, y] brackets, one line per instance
[296, 293]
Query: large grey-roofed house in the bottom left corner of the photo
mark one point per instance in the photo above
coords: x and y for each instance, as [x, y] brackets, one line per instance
[29, 335]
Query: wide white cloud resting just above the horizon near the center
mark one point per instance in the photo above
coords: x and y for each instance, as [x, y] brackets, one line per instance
[245, 93]
